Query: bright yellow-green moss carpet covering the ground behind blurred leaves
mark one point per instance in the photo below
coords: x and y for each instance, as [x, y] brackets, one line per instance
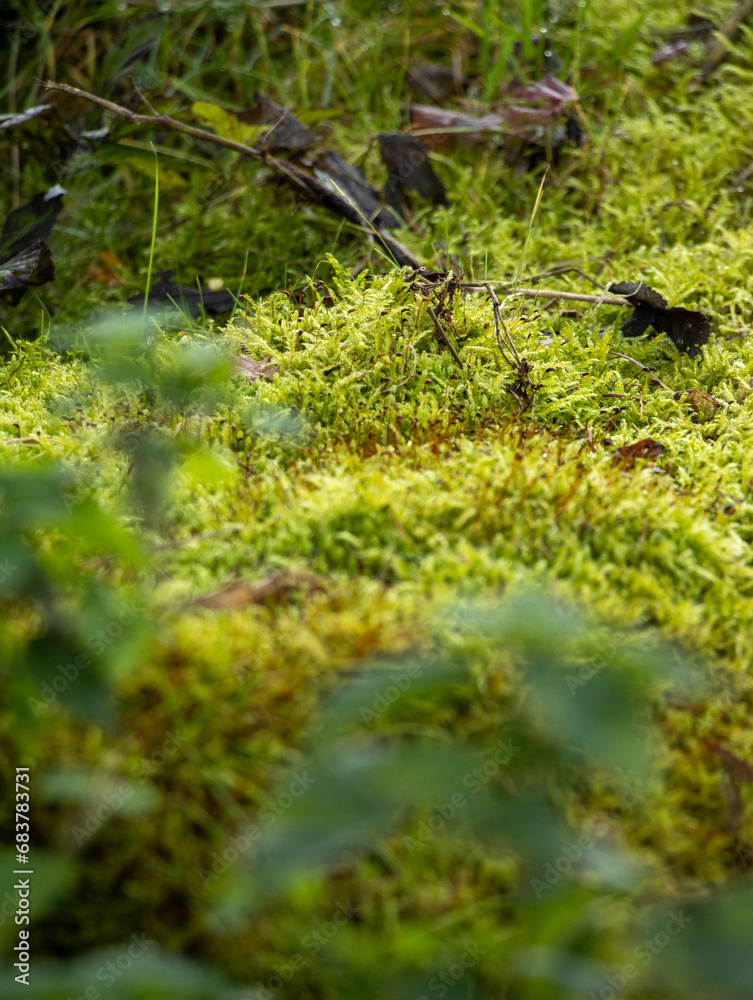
[407, 484]
